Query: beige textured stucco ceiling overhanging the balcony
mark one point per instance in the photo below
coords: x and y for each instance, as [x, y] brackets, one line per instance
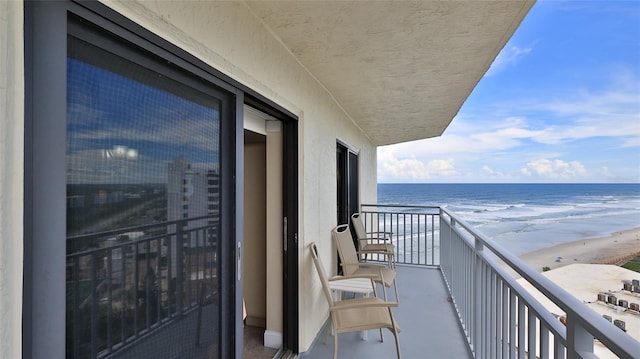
[401, 70]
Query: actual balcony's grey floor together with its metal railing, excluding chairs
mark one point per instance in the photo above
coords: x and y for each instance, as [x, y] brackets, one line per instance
[459, 298]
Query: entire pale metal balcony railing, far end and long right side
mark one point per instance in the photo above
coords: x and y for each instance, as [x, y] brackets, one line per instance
[499, 317]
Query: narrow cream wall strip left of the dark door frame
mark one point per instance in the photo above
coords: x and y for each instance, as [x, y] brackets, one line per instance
[11, 177]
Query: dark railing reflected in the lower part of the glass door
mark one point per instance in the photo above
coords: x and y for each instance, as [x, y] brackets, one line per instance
[123, 287]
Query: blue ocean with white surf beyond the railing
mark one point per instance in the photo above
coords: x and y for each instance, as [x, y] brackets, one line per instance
[527, 217]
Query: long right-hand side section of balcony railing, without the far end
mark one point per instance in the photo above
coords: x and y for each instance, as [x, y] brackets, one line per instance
[503, 320]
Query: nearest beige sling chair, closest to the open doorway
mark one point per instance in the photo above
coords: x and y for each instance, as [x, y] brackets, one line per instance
[352, 315]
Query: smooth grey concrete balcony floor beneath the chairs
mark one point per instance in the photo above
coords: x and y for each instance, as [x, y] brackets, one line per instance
[428, 322]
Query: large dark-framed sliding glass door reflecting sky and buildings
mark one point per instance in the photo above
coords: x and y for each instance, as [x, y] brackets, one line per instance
[130, 241]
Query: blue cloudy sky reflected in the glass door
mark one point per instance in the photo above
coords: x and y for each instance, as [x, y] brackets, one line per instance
[121, 130]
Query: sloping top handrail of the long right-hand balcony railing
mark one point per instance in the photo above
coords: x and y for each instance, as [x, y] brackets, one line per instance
[589, 319]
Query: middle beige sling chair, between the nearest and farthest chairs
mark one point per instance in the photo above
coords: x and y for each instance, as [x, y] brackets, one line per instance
[351, 266]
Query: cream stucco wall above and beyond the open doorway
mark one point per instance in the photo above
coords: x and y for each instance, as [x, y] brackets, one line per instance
[228, 36]
